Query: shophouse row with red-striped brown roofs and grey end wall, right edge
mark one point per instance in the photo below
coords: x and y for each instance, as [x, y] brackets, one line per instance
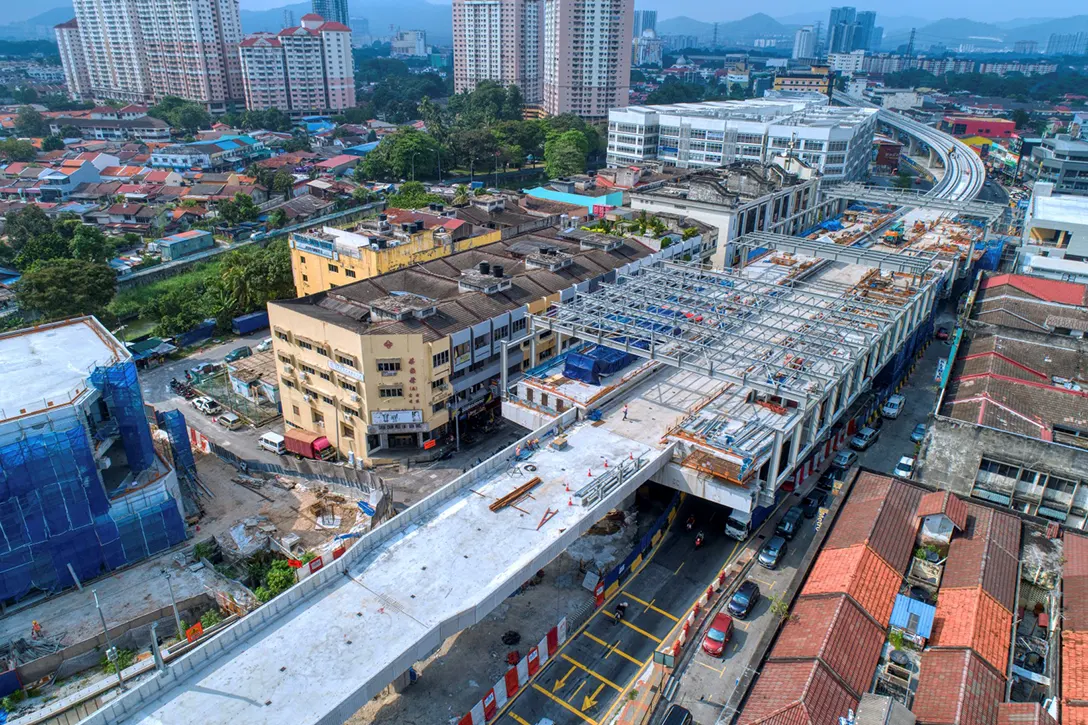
[1012, 417]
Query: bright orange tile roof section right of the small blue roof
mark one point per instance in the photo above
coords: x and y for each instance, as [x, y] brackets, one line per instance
[971, 618]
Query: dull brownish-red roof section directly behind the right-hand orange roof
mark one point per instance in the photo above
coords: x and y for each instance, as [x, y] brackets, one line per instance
[986, 555]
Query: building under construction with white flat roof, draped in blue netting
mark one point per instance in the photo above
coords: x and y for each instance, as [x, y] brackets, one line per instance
[83, 490]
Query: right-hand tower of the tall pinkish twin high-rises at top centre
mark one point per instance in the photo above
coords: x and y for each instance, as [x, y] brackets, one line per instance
[587, 58]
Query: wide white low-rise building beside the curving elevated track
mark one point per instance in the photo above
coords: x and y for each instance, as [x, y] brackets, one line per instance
[835, 141]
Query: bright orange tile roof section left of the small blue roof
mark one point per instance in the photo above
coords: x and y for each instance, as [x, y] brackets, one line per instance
[860, 573]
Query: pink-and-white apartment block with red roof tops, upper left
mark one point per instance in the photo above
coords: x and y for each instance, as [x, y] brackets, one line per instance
[301, 70]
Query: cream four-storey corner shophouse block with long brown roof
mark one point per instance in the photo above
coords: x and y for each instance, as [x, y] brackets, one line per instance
[402, 360]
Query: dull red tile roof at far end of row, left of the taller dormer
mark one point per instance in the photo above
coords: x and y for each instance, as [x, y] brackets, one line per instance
[881, 512]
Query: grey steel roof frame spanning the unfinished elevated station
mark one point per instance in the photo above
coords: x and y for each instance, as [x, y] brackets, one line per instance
[797, 341]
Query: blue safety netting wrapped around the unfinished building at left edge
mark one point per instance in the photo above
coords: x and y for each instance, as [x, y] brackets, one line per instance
[55, 511]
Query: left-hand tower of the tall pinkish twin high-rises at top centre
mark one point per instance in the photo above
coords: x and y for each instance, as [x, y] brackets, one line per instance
[499, 41]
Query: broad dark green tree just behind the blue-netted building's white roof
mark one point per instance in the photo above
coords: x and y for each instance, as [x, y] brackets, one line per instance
[67, 288]
